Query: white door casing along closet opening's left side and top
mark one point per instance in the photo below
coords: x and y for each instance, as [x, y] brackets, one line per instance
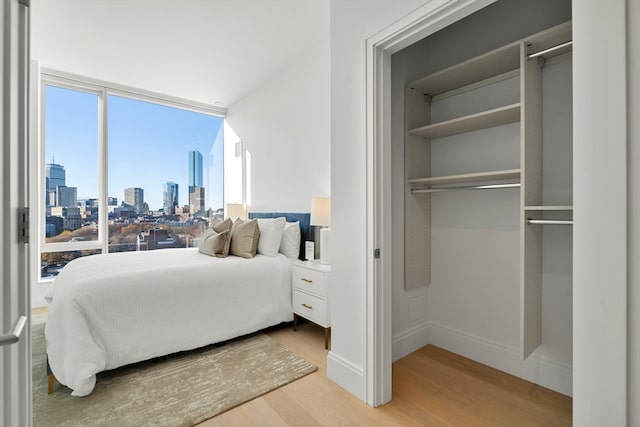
[426, 20]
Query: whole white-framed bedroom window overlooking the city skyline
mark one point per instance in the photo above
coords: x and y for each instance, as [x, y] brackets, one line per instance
[124, 172]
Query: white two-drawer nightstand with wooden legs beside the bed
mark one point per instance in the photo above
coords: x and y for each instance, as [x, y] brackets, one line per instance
[310, 290]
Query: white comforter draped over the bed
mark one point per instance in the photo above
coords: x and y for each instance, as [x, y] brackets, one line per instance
[110, 310]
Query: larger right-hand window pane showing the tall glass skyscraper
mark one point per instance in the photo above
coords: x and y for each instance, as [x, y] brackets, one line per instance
[165, 172]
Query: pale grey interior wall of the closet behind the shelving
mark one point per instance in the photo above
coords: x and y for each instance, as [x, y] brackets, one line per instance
[470, 301]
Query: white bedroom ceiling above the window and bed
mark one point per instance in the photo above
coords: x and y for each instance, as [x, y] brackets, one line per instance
[210, 51]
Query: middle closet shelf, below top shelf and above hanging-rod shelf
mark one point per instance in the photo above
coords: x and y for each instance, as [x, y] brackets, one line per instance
[483, 120]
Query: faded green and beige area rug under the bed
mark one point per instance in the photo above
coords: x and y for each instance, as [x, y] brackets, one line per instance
[183, 389]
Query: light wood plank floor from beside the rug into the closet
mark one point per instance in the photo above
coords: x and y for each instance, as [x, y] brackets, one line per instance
[431, 387]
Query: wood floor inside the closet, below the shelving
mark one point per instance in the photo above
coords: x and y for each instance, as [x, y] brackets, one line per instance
[436, 387]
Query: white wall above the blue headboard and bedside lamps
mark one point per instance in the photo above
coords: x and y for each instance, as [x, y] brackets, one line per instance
[285, 127]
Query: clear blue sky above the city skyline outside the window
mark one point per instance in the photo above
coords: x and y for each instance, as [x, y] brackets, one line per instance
[148, 145]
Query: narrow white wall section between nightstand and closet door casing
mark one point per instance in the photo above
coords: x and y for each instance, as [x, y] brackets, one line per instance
[351, 23]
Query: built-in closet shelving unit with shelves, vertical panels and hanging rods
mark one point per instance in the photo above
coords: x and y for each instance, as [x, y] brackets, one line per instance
[513, 74]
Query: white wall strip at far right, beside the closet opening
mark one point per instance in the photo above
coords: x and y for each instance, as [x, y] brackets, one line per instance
[606, 239]
